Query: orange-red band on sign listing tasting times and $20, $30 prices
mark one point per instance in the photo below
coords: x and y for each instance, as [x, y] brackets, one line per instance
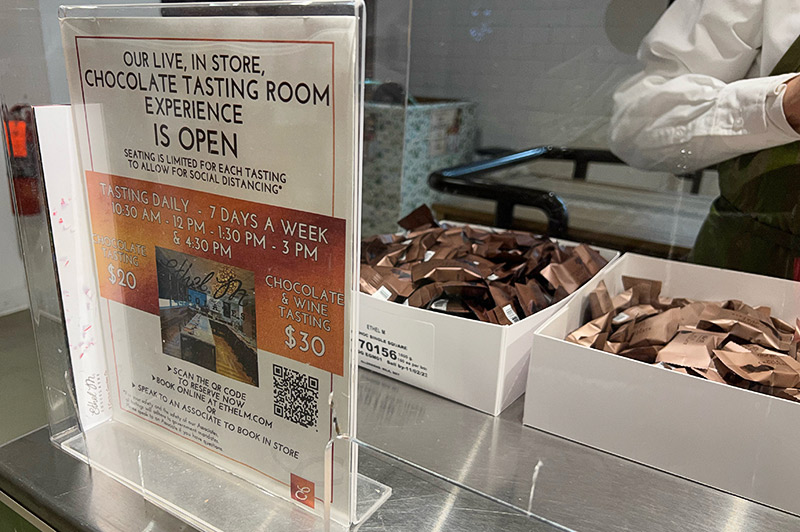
[298, 258]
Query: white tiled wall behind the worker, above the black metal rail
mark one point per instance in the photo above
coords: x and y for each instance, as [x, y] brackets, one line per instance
[542, 71]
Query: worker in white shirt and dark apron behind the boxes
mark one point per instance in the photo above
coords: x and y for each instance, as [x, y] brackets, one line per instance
[720, 87]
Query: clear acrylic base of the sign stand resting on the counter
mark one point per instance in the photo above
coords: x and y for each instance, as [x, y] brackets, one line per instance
[200, 493]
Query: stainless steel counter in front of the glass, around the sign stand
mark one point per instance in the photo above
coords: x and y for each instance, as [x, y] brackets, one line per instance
[68, 496]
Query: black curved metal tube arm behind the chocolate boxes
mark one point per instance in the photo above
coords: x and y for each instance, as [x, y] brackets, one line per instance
[470, 180]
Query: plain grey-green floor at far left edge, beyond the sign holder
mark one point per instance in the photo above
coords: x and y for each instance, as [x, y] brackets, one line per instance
[22, 406]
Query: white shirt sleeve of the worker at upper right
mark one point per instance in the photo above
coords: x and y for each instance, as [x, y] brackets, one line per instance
[691, 108]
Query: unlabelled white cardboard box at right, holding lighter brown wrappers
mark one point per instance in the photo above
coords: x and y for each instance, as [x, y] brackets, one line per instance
[735, 440]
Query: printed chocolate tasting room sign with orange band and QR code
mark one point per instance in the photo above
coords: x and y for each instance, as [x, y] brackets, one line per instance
[220, 172]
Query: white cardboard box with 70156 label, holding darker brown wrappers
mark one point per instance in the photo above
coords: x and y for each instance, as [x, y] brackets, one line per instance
[481, 365]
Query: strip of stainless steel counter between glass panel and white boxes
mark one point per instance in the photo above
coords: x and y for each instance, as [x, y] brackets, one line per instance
[576, 486]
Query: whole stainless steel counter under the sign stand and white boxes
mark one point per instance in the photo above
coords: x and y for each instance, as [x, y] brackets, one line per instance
[490, 460]
